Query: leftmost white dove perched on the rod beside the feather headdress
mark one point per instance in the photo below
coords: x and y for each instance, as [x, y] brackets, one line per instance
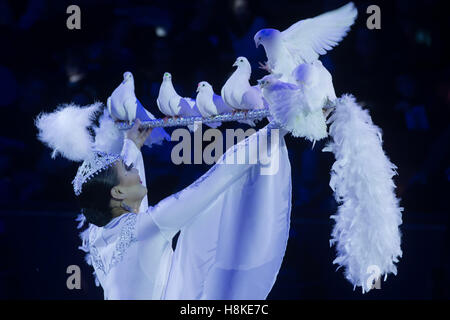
[122, 103]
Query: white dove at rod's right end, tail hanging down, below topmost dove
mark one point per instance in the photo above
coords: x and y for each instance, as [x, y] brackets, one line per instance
[288, 106]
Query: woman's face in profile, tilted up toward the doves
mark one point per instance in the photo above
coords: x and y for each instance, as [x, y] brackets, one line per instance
[130, 183]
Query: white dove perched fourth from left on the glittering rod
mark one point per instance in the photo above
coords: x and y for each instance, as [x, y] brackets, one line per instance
[237, 91]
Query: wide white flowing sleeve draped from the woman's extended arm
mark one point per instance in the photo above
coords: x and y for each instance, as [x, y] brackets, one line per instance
[234, 222]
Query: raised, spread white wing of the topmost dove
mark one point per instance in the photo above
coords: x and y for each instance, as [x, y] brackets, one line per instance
[309, 38]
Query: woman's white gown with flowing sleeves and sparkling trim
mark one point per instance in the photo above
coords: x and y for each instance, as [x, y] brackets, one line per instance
[234, 224]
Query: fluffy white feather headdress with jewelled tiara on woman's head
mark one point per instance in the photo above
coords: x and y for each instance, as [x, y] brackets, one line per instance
[66, 131]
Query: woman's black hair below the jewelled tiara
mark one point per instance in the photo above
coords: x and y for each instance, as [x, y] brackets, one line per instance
[95, 197]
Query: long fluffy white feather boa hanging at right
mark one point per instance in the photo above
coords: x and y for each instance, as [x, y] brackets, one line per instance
[366, 231]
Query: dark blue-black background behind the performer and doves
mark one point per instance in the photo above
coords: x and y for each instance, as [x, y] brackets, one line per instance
[400, 73]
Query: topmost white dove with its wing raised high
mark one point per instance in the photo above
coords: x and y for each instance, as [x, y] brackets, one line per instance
[305, 40]
